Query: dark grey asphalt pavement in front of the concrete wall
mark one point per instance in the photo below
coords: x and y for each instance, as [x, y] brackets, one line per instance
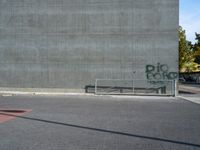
[77, 122]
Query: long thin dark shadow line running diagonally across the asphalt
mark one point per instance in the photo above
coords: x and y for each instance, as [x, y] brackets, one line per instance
[106, 131]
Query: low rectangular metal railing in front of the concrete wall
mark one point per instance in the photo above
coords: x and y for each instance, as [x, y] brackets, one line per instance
[135, 87]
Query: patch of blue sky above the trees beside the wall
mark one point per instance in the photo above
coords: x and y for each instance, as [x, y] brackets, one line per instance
[189, 17]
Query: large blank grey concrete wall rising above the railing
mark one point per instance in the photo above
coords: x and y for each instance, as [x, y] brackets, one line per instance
[70, 43]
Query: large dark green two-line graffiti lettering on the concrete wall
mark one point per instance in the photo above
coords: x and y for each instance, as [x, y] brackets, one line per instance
[160, 72]
